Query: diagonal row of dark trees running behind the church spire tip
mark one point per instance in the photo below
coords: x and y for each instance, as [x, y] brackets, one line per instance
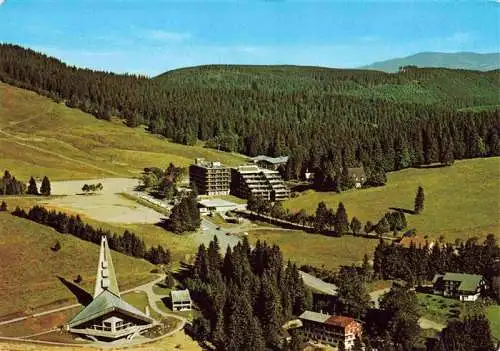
[127, 243]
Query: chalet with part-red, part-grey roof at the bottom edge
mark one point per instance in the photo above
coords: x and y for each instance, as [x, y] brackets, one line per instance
[330, 330]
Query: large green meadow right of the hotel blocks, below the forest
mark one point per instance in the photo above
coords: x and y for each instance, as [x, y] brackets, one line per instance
[461, 201]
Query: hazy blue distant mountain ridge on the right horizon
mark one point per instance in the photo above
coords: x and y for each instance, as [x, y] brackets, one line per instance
[459, 60]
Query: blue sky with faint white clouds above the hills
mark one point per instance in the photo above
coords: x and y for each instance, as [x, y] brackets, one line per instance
[152, 36]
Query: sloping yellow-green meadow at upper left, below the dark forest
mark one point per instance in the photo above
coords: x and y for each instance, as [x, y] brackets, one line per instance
[40, 137]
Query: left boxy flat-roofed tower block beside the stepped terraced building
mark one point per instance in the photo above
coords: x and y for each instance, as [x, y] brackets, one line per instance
[210, 178]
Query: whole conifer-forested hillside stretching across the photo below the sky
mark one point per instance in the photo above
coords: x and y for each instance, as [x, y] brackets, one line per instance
[325, 119]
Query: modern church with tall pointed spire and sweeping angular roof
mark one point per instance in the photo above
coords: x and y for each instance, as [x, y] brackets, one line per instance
[108, 317]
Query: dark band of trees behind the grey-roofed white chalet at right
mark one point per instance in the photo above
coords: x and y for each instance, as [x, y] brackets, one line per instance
[419, 264]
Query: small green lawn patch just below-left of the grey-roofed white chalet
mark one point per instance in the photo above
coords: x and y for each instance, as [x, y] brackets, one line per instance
[438, 308]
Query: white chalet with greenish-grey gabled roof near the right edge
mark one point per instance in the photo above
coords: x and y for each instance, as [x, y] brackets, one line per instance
[466, 287]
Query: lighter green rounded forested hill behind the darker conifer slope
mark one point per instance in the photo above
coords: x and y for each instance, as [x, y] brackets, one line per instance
[425, 85]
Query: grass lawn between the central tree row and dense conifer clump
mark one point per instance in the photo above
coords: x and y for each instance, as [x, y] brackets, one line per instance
[317, 250]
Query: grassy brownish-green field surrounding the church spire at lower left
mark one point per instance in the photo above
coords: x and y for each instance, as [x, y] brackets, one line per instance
[34, 277]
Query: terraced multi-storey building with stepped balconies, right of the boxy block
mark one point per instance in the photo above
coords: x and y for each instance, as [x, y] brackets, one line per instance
[252, 180]
